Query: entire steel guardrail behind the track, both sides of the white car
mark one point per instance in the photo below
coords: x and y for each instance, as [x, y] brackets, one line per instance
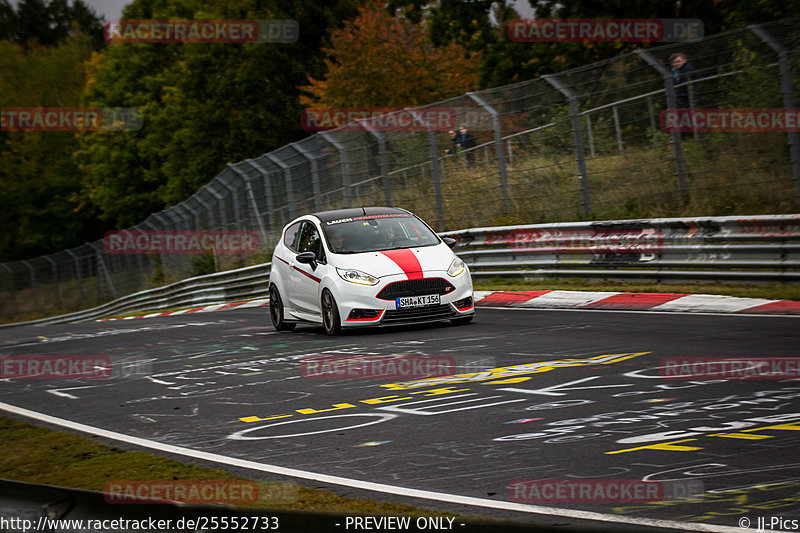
[755, 248]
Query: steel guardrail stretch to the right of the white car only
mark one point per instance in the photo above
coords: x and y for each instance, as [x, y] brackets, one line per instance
[757, 248]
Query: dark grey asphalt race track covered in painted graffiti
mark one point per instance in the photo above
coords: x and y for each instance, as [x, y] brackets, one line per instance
[584, 401]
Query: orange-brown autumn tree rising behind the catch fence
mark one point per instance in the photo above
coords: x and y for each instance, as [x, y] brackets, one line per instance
[380, 60]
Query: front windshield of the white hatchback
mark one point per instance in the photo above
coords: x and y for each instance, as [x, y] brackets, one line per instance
[372, 233]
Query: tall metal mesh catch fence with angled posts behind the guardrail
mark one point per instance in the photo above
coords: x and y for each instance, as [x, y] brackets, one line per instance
[584, 144]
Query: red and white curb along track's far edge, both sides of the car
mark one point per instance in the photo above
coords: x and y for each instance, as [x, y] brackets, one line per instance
[553, 299]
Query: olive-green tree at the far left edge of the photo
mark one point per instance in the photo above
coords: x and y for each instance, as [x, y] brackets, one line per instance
[39, 210]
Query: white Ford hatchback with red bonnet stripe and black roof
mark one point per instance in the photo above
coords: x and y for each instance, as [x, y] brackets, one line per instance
[366, 266]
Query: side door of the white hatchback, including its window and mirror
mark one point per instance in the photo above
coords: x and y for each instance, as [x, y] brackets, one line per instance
[306, 278]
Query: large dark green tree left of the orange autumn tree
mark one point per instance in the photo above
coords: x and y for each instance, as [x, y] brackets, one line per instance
[203, 104]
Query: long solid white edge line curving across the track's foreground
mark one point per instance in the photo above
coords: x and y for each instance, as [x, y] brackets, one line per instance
[365, 485]
